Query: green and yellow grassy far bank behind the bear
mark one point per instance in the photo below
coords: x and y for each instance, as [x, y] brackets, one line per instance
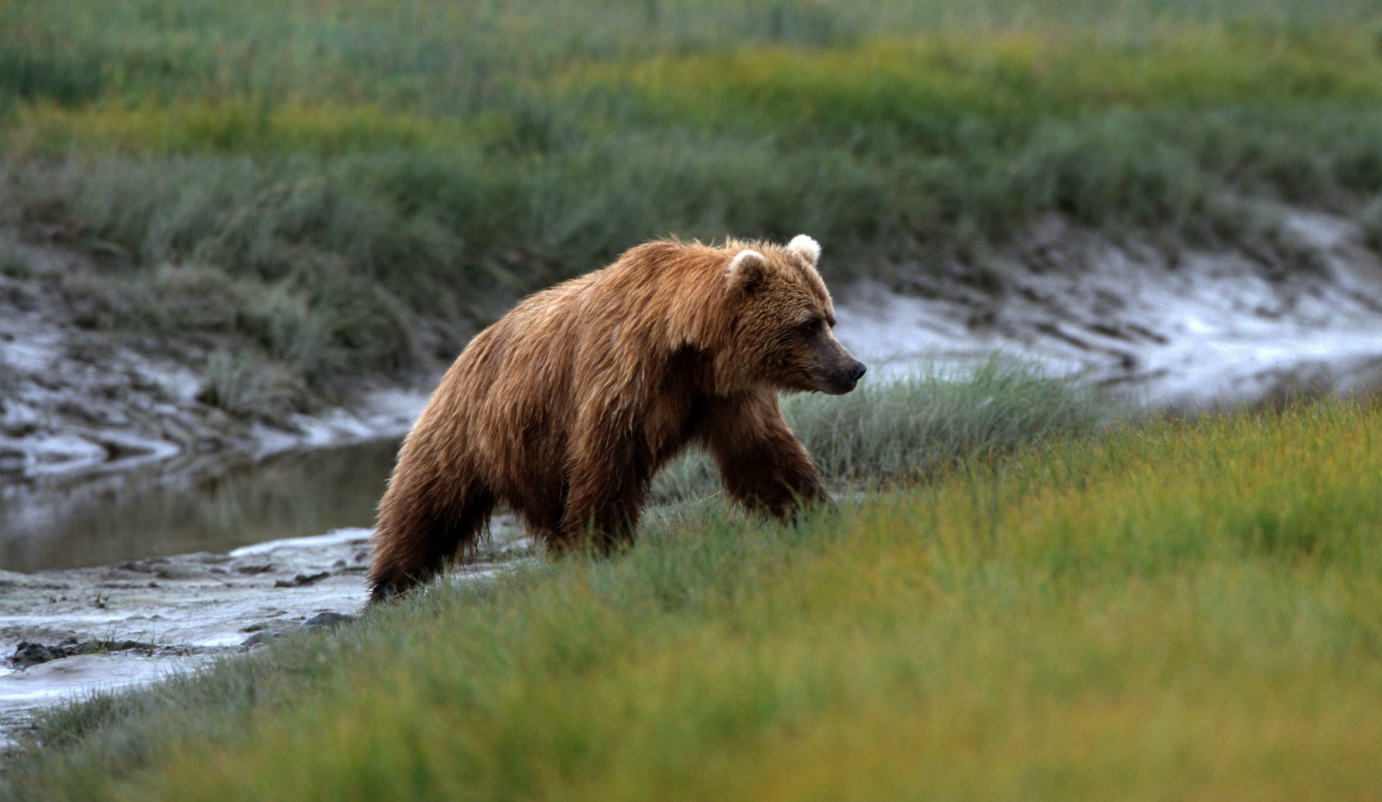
[359, 186]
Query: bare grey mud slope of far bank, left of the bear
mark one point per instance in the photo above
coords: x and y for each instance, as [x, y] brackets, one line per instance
[77, 399]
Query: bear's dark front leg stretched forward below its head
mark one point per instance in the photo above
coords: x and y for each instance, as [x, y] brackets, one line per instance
[762, 465]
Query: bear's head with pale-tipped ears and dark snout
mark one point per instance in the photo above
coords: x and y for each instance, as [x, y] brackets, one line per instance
[784, 320]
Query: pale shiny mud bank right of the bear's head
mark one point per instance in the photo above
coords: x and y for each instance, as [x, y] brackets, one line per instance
[1188, 330]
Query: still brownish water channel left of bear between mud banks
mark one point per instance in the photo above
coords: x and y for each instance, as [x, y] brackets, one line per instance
[66, 522]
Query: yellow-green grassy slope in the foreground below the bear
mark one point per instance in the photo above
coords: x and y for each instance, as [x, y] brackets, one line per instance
[1168, 610]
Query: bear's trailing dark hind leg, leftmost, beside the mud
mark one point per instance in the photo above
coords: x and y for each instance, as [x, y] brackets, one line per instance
[415, 539]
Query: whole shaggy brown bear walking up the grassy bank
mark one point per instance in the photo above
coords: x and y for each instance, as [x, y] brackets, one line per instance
[569, 406]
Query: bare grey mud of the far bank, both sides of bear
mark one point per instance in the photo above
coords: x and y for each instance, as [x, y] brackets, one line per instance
[1168, 326]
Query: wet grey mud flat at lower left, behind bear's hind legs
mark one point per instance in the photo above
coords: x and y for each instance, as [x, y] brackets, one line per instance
[68, 634]
